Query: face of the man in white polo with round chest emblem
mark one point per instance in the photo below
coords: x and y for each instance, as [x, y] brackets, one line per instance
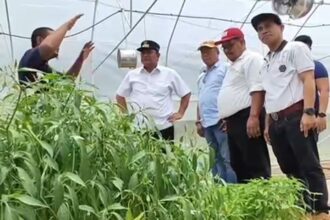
[269, 32]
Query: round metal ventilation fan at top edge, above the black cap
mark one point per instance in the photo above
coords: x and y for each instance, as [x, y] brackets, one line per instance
[294, 8]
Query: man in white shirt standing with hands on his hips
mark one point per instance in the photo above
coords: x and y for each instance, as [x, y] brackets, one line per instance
[151, 88]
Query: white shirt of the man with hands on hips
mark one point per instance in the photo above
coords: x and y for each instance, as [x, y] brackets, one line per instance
[152, 92]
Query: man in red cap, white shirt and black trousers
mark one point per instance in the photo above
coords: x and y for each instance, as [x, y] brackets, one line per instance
[240, 104]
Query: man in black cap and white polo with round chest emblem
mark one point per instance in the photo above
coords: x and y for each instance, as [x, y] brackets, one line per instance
[288, 79]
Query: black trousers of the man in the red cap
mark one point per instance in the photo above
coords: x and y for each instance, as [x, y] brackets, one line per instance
[249, 157]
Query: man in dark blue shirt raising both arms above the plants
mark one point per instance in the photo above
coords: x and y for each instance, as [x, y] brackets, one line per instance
[45, 46]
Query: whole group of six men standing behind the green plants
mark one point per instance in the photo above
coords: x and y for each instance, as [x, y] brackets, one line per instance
[280, 99]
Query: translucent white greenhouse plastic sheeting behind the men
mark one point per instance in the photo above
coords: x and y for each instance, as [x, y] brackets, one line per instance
[200, 20]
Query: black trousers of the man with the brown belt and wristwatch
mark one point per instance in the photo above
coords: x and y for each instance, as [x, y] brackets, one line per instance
[298, 157]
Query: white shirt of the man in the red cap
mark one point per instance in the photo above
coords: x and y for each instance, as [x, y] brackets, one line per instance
[242, 78]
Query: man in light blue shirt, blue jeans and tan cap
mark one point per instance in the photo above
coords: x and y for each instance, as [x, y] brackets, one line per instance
[208, 124]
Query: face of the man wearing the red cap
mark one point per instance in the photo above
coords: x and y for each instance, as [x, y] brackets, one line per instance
[233, 48]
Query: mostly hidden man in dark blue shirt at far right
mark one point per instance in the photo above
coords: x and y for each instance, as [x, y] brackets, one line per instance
[322, 86]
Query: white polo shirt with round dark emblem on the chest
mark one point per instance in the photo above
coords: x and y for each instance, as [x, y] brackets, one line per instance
[280, 75]
